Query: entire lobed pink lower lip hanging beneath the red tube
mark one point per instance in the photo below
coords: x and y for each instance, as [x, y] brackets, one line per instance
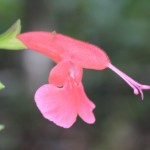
[61, 105]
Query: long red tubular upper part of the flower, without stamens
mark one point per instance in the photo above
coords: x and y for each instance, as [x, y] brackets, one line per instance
[60, 47]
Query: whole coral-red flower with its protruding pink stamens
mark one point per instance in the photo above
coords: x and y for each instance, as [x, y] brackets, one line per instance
[64, 98]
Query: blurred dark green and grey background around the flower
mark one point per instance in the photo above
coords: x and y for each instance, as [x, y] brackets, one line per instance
[122, 29]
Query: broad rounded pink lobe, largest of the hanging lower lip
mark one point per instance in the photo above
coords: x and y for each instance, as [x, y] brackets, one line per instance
[57, 105]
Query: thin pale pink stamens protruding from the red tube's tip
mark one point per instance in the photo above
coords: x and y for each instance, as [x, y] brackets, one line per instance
[137, 87]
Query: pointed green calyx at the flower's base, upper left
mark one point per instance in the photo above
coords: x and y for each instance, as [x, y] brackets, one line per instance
[8, 39]
